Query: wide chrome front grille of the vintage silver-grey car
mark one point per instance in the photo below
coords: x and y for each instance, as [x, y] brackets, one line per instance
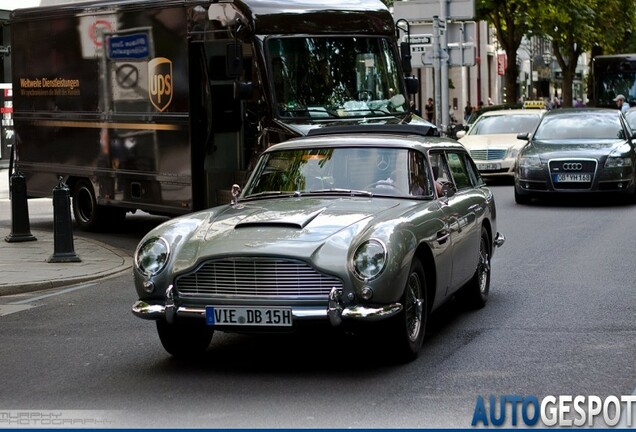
[256, 277]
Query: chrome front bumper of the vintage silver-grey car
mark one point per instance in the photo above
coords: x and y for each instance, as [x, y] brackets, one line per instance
[335, 312]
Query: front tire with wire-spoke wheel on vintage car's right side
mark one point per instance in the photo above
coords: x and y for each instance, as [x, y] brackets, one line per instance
[407, 329]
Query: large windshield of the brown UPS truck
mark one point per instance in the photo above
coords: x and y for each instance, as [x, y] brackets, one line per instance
[328, 77]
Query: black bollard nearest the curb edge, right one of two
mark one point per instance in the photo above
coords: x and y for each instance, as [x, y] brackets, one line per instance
[62, 226]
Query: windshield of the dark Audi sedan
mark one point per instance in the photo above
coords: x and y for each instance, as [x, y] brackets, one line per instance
[581, 126]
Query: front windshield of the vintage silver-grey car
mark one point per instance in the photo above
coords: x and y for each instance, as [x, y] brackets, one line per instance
[356, 170]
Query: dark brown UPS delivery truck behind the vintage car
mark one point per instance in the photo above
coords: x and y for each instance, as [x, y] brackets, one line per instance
[160, 105]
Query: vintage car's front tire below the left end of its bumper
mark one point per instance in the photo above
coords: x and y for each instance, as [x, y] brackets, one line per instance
[184, 338]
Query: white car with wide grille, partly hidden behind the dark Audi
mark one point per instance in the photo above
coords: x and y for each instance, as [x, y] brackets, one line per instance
[492, 139]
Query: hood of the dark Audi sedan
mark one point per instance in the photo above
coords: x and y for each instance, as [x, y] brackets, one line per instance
[550, 149]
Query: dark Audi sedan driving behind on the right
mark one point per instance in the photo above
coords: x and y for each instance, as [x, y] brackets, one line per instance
[586, 150]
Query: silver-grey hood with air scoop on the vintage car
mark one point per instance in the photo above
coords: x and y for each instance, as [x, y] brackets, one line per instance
[288, 226]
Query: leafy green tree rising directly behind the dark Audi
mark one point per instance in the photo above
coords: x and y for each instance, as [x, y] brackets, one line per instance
[575, 26]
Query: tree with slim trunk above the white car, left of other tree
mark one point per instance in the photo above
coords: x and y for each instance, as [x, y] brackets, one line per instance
[510, 19]
